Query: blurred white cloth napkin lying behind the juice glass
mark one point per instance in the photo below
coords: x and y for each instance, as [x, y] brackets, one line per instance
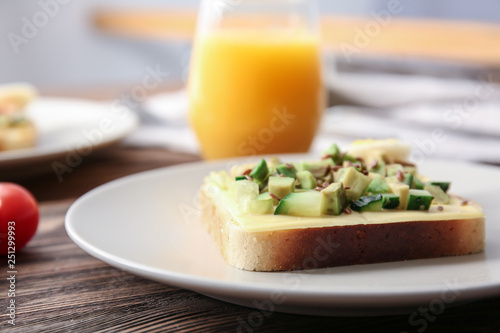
[440, 118]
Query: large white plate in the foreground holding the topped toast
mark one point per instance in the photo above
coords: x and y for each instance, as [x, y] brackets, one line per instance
[147, 224]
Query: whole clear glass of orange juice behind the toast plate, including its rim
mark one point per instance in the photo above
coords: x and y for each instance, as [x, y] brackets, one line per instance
[255, 83]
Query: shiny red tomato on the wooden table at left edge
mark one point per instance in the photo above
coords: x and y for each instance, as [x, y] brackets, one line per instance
[18, 217]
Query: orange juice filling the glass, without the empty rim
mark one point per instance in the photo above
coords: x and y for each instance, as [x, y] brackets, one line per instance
[255, 92]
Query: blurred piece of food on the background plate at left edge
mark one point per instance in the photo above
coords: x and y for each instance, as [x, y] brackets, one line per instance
[16, 130]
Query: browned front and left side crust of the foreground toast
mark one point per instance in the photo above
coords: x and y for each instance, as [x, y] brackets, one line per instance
[309, 248]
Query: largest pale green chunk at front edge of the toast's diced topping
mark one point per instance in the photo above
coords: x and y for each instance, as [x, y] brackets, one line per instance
[300, 204]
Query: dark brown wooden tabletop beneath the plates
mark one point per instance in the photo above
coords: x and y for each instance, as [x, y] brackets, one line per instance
[60, 288]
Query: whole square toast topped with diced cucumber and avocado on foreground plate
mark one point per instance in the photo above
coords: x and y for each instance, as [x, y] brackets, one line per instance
[366, 205]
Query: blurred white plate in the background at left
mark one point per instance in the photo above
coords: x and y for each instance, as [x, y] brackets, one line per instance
[69, 126]
